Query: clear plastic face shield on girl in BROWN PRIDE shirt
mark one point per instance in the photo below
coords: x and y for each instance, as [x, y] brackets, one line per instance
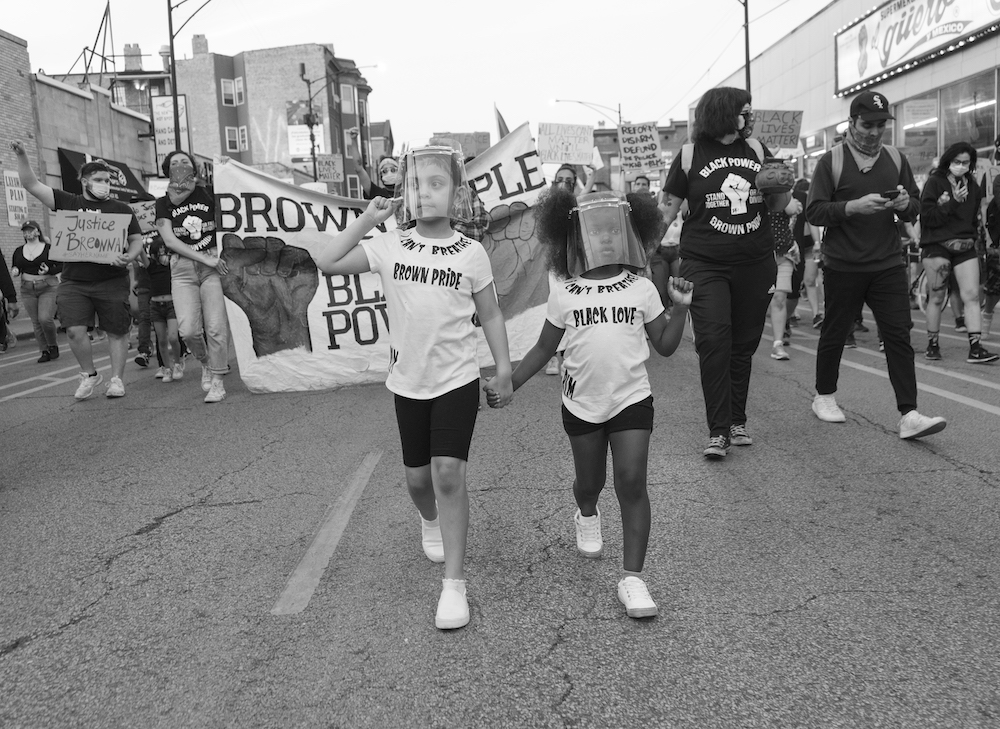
[433, 184]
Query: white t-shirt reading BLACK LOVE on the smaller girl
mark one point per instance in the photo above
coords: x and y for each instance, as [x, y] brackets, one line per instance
[604, 368]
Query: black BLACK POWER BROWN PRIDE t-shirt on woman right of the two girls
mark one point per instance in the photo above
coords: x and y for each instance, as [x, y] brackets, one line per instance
[728, 221]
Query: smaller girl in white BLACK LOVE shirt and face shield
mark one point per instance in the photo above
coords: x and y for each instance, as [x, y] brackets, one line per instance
[596, 246]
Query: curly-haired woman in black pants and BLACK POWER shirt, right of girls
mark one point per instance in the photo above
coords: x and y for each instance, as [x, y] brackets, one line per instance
[727, 252]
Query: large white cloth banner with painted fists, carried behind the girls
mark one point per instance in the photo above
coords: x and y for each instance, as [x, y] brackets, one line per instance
[295, 328]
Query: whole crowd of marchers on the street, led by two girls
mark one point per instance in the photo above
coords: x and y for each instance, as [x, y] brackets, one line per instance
[730, 239]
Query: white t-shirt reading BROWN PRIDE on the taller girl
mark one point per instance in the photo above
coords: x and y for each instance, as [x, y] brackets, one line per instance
[428, 285]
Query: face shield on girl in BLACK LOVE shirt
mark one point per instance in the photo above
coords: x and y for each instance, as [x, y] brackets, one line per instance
[602, 234]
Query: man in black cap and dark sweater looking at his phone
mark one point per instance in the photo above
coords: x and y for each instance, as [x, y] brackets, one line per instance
[857, 191]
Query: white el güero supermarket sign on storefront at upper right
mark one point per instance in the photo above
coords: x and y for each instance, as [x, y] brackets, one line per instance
[900, 31]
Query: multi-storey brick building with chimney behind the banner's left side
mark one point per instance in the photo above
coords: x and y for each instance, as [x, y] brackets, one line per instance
[253, 107]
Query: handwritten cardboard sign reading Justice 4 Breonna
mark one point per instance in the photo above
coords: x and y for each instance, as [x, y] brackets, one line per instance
[79, 236]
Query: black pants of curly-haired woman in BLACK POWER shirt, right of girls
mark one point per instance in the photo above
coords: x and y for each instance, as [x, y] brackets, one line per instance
[728, 310]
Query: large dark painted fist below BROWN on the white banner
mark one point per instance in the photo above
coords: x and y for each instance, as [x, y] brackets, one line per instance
[273, 283]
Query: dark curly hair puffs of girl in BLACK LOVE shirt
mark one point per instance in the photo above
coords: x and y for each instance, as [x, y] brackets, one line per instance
[552, 216]
